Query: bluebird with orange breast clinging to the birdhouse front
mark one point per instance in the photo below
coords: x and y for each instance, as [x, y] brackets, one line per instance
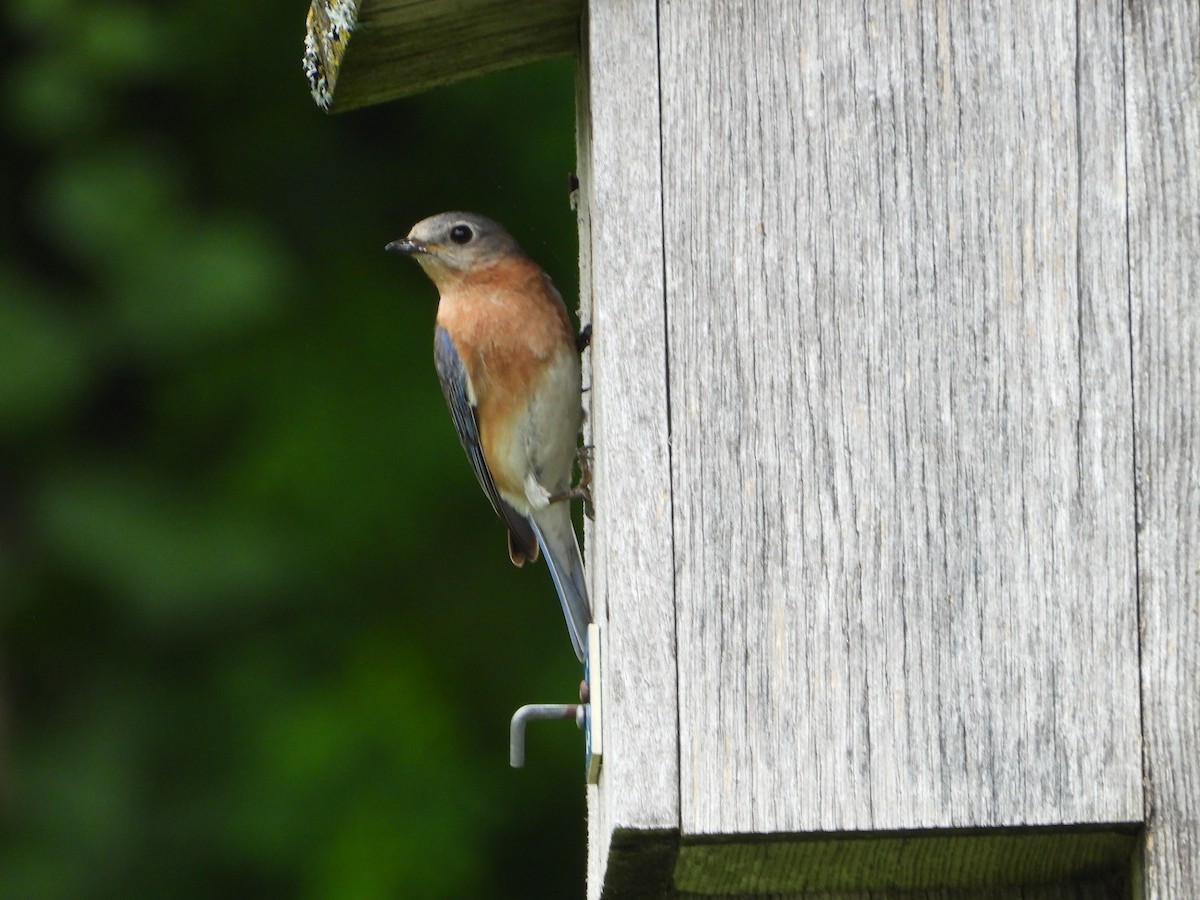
[509, 364]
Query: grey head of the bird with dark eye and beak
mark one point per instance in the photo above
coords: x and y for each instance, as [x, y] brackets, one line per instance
[452, 244]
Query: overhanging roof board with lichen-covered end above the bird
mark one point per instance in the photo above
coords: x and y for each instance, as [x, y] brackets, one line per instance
[365, 52]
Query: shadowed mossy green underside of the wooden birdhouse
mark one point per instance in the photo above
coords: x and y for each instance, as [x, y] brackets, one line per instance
[1063, 863]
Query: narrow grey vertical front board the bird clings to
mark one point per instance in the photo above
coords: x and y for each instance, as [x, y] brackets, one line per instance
[629, 544]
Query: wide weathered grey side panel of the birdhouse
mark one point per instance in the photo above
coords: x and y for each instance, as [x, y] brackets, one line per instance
[901, 401]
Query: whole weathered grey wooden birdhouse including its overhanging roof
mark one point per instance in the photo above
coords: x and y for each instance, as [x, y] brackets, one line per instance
[896, 559]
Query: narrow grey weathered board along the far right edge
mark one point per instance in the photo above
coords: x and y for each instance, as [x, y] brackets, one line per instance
[1163, 116]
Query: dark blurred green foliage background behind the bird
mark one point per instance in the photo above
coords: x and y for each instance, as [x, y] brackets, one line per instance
[260, 632]
